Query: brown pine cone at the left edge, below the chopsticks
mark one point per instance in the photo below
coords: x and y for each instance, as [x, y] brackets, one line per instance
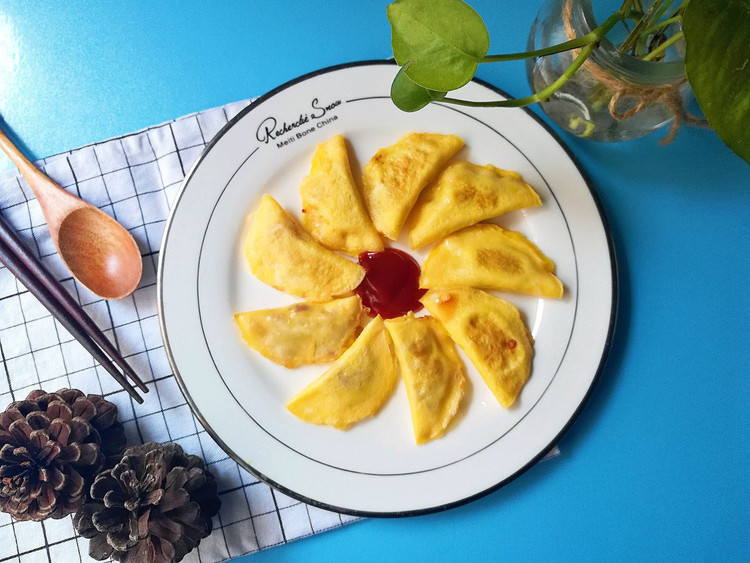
[52, 445]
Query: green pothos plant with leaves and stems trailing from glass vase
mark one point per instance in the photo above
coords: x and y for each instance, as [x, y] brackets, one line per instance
[439, 45]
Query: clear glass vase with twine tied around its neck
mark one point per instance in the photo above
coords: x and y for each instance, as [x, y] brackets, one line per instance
[614, 96]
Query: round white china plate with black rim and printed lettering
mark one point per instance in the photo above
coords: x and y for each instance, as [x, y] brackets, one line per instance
[375, 468]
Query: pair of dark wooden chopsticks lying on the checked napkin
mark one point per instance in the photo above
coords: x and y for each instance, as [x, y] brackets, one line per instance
[40, 283]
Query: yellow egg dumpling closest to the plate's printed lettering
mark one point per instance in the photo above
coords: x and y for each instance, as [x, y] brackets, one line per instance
[332, 208]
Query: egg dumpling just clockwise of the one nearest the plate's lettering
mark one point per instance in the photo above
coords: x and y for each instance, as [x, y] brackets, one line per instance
[395, 176]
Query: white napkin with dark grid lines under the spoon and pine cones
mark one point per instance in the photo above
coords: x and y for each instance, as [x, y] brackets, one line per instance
[134, 178]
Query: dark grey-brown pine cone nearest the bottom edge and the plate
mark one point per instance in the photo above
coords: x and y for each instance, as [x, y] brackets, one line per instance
[154, 506]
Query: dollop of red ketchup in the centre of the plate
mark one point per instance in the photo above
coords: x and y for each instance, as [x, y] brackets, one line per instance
[391, 285]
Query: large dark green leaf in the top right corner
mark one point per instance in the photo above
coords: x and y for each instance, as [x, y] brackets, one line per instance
[717, 61]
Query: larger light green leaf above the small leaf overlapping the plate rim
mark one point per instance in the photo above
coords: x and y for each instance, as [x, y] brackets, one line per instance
[444, 40]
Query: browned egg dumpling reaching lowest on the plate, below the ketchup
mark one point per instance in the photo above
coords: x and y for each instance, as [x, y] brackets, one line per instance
[433, 373]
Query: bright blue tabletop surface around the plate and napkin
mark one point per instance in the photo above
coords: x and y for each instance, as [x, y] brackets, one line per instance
[656, 467]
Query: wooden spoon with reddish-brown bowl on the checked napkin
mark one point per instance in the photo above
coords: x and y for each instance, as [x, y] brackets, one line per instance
[98, 251]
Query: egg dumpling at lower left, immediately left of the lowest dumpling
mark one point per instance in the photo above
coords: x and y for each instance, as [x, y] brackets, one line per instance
[356, 385]
